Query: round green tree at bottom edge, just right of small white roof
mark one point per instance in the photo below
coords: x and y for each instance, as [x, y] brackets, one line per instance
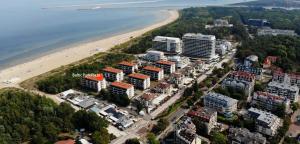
[101, 137]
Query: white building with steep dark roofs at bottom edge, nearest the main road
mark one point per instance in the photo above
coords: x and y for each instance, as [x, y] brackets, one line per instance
[186, 132]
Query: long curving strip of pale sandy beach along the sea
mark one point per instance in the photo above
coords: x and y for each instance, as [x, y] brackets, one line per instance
[12, 76]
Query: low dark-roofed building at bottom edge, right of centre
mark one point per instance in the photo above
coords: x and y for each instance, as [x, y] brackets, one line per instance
[244, 136]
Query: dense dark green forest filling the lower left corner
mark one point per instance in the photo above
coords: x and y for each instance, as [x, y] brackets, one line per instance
[27, 117]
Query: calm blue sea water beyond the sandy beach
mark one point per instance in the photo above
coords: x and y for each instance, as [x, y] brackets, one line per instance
[31, 28]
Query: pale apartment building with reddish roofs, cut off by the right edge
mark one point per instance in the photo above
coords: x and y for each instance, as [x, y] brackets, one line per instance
[289, 78]
